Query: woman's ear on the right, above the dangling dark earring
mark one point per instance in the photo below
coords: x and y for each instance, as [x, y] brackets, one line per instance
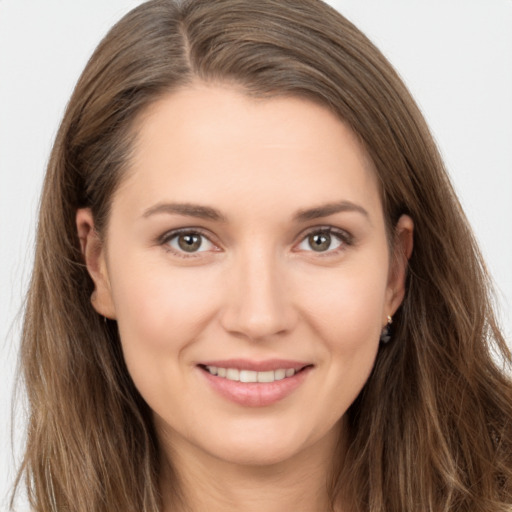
[402, 250]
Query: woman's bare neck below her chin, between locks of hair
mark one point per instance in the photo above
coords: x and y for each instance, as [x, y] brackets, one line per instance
[204, 482]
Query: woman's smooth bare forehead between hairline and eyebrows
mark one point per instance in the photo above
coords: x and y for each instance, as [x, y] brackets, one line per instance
[211, 142]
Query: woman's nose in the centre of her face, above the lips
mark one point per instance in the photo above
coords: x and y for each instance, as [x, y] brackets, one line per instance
[259, 304]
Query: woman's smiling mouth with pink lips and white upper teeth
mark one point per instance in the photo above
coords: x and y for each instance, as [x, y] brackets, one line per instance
[255, 383]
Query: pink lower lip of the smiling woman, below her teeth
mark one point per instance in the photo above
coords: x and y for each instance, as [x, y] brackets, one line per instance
[256, 394]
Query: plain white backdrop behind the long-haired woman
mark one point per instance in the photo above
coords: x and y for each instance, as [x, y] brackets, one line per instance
[455, 56]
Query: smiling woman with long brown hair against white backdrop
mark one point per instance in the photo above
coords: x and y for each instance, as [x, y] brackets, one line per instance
[254, 286]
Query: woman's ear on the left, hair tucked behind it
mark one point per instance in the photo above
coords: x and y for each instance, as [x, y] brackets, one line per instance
[94, 255]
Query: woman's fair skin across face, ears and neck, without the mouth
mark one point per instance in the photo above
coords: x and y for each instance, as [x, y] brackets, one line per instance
[256, 289]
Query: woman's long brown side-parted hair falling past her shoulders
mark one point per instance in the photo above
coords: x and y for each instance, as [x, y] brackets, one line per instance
[432, 428]
